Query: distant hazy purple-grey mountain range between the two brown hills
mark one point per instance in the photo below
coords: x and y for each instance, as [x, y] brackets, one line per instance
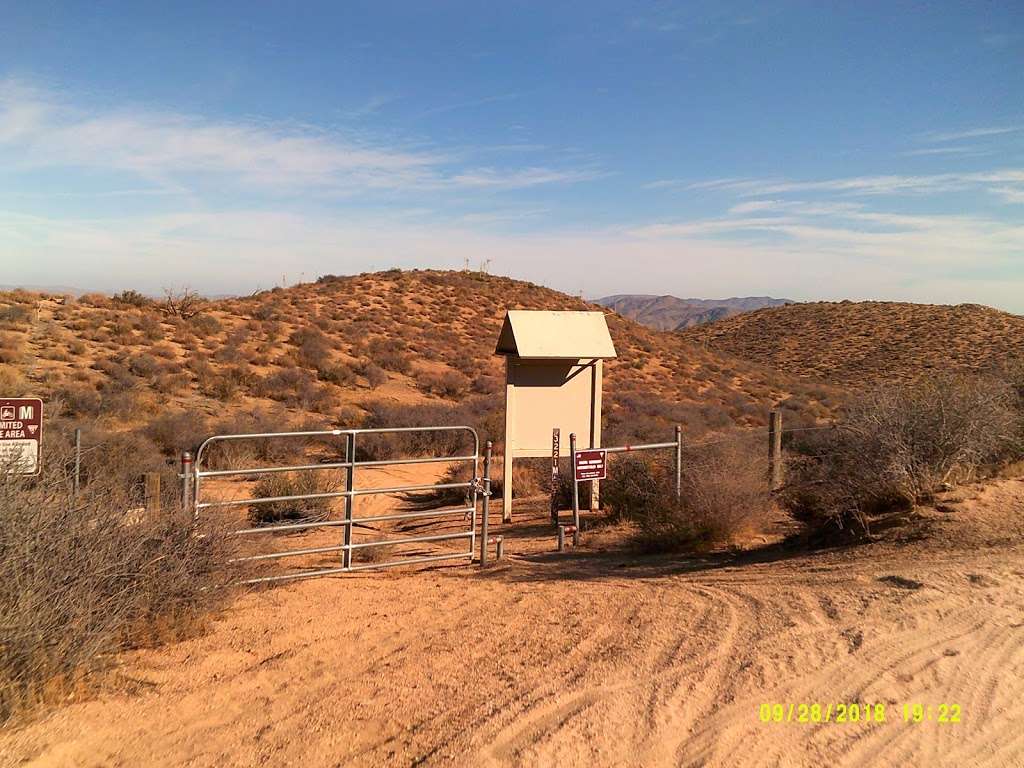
[673, 314]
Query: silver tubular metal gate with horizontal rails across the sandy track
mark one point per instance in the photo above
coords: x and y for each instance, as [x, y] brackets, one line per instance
[474, 489]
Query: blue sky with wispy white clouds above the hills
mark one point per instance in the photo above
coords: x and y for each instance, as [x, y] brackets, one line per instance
[803, 150]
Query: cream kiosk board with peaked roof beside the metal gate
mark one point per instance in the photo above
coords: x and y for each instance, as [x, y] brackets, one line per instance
[553, 372]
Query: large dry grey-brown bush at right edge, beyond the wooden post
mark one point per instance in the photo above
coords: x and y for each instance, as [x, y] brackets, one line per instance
[899, 446]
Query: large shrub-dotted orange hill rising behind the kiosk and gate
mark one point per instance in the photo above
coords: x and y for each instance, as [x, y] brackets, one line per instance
[334, 348]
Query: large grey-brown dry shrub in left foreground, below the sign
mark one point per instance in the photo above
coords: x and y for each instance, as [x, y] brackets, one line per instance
[83, 579]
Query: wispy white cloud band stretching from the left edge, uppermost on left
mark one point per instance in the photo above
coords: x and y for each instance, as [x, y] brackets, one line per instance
[39, 131]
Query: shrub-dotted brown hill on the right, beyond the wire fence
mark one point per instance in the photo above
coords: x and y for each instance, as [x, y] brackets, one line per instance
[864, 344]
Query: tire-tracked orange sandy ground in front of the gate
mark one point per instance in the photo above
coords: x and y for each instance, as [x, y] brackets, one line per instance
[594, 658]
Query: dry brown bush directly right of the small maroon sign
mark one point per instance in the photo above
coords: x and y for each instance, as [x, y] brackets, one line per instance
[724, 495]
